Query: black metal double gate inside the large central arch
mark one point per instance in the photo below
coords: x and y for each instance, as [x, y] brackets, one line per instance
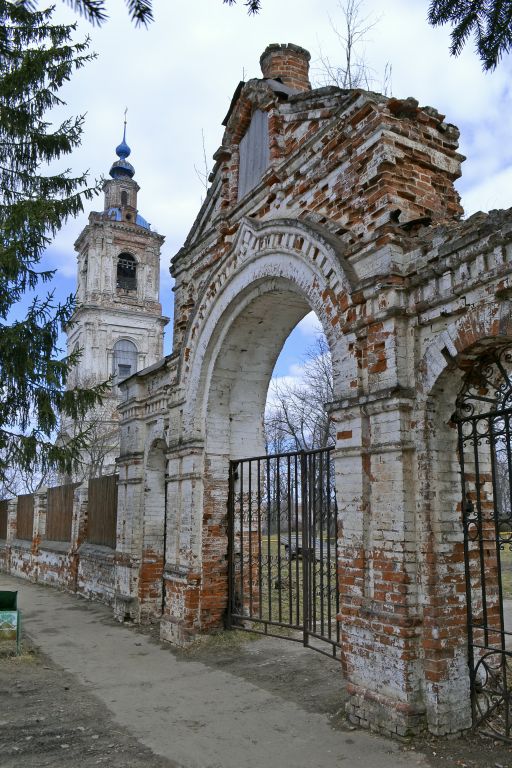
[283, 577]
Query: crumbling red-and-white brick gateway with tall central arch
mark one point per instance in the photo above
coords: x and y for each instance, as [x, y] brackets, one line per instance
[341, 202]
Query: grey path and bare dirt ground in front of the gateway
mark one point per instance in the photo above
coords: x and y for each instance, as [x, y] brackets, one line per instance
[107, 693]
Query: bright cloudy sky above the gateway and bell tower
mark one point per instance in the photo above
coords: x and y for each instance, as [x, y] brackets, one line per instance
[177, 79]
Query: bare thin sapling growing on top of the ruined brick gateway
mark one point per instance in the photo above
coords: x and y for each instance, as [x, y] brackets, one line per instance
[354, 72]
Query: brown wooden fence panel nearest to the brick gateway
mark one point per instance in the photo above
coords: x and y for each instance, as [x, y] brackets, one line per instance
[102, 511]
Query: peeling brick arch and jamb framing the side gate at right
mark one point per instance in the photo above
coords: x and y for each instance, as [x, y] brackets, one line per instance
[441, 572]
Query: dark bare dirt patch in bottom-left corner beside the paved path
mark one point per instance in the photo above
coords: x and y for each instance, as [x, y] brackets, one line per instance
[48, 719]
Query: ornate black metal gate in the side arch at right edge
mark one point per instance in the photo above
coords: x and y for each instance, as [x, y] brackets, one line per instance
[484, 420]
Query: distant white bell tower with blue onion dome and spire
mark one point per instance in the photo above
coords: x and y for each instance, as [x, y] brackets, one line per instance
[118, 324]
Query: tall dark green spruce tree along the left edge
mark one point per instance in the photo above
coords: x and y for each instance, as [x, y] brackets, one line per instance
[36, 58]
